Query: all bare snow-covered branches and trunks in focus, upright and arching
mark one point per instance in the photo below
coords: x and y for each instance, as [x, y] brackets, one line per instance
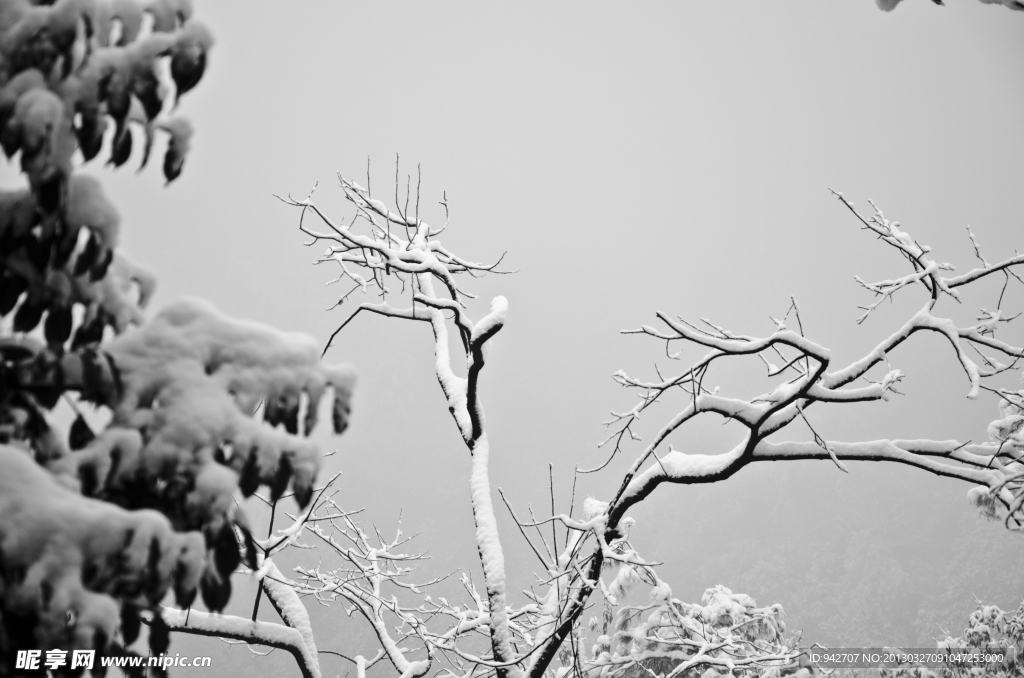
[398, 257]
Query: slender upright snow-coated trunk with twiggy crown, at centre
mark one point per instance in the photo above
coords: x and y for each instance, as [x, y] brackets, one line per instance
[397, 247]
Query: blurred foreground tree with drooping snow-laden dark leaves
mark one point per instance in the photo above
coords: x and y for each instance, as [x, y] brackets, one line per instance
[99, 526]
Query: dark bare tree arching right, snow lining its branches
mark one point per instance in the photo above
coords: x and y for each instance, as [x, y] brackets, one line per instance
[803, 376]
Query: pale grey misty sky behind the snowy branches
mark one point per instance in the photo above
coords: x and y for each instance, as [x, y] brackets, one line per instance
[629, 159]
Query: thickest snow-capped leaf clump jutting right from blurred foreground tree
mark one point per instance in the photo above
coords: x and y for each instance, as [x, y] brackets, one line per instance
[192, 379]
